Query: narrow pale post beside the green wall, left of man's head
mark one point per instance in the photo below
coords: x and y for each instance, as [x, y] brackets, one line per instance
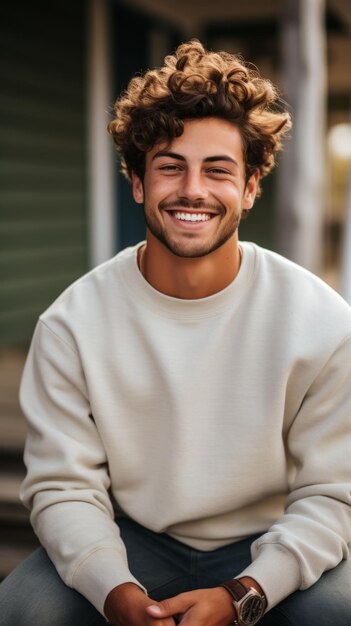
[102, 200]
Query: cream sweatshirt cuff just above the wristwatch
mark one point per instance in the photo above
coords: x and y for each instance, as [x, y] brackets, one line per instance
[276, 570]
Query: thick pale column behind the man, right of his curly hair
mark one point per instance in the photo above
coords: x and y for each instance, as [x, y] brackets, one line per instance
[302, 188]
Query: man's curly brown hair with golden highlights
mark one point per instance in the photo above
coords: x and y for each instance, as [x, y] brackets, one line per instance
[196, 83]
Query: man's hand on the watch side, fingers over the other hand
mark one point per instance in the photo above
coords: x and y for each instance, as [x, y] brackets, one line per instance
[202, 607]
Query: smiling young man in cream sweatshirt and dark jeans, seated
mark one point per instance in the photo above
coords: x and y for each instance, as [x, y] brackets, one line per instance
[188, 401]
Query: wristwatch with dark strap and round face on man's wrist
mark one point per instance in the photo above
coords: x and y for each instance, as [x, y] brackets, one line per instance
[249, 604]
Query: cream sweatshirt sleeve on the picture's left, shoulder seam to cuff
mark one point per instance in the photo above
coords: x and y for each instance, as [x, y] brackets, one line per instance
[67, 481]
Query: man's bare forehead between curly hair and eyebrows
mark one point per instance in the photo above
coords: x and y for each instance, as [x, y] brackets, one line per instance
[203, 138]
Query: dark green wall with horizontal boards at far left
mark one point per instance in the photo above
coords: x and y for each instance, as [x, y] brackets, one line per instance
[43, 198]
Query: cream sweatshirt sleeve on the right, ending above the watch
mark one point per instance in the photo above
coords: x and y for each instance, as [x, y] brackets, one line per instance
[314, 533]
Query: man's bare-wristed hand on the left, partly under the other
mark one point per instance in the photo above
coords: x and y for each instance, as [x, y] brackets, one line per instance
[126, 605]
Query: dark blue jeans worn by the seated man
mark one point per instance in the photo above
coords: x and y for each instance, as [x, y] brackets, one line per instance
[34, 594]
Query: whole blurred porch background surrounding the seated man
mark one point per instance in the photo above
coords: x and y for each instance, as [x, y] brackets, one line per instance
[64, 206]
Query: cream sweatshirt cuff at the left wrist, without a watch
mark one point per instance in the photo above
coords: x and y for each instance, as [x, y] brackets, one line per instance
[99, 573]
